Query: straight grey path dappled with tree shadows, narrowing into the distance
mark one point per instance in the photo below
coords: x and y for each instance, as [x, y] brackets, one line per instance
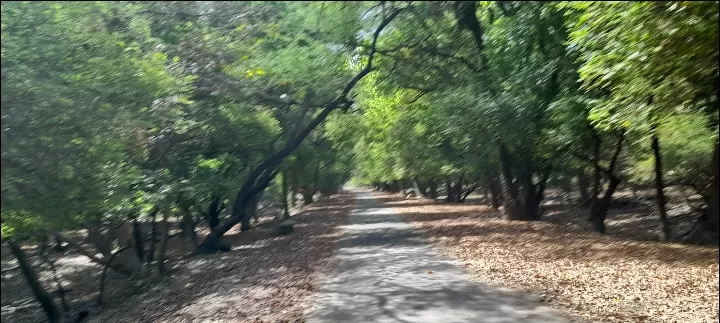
[387, 273]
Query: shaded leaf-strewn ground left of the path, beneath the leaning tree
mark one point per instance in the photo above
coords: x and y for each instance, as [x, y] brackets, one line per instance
[265, 278]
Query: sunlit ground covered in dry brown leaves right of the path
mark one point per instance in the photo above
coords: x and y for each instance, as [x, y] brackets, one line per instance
[611, 278]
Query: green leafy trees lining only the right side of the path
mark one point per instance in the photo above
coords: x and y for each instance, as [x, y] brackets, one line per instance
[512, 97]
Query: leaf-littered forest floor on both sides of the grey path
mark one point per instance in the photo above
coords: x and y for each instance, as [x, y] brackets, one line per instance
[623, 276]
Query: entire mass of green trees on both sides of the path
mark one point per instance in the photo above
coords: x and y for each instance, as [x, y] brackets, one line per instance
[124, 113]
